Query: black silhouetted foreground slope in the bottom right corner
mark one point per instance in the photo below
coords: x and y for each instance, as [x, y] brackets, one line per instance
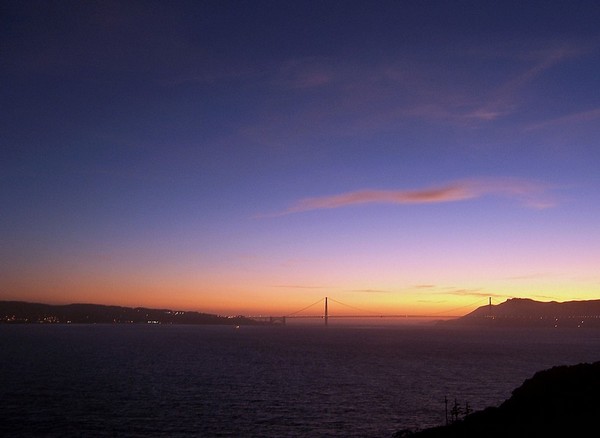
[563, 401]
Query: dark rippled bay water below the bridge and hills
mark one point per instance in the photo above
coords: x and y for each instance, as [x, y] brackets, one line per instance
[208, 381]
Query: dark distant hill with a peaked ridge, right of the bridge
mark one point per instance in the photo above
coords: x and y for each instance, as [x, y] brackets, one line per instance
[523, 312]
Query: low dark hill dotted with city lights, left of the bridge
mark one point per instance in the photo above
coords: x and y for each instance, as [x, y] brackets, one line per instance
[23, 312]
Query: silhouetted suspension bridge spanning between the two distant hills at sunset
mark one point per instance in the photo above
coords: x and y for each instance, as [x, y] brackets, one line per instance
[326, 315]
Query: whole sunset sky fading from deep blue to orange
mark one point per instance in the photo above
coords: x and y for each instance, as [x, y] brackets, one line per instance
[253, 157]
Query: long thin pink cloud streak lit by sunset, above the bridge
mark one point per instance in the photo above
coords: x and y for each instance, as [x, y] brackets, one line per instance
[529, 193]
